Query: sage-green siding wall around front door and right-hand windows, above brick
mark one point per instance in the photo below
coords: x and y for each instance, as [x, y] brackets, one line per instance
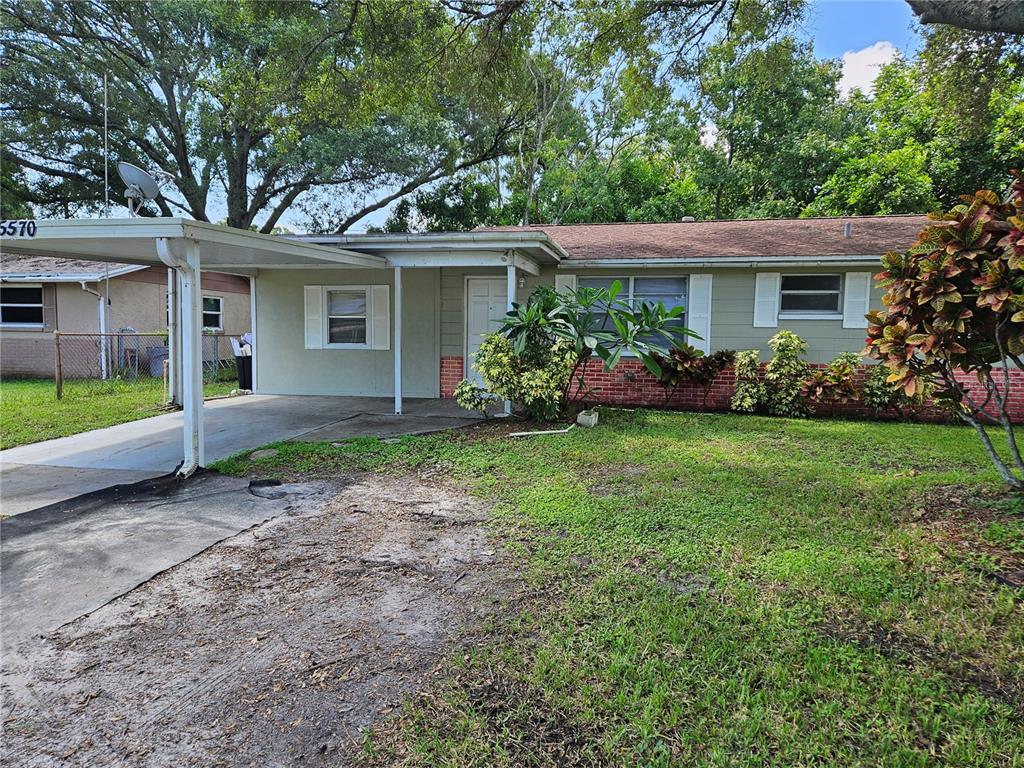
[733, 311]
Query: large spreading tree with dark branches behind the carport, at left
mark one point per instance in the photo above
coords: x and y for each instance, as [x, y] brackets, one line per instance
[265, 107]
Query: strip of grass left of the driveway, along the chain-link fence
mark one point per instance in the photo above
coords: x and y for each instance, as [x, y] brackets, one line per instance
[30, 411]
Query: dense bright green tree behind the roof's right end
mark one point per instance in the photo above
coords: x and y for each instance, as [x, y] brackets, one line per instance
[949, 121]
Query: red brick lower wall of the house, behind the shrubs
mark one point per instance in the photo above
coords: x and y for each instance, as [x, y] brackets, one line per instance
[631, 385]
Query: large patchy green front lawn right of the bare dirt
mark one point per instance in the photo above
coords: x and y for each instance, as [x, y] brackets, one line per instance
[722, 590]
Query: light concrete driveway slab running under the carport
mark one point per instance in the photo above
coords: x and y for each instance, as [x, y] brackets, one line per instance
[45, 474]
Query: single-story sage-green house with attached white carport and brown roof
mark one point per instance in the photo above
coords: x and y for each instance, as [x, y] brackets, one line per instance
[401, 316]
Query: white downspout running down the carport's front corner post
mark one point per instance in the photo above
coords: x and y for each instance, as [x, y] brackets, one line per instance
[192, 350]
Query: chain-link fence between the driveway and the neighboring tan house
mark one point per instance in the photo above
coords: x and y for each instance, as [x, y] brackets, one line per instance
[86, 364]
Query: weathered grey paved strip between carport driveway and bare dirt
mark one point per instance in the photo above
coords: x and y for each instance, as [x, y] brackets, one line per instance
[62, 562]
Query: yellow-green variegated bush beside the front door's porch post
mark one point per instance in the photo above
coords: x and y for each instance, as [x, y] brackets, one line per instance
[537, 382]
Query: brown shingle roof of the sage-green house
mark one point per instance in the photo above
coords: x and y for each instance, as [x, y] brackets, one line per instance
[870, 236]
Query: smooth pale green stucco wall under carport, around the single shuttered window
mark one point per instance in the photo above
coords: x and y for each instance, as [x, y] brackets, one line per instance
[285, 367]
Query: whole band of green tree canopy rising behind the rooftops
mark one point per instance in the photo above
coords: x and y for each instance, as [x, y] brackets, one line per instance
[454, 113]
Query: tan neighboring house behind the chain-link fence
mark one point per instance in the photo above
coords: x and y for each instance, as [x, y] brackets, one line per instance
[39, 295]
